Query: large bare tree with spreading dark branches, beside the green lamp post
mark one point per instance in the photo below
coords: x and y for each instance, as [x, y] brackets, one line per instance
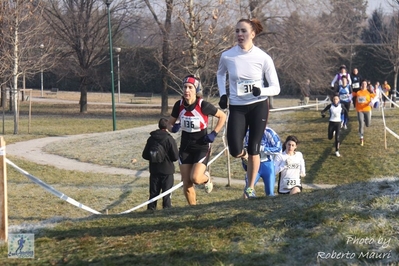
[81, 29]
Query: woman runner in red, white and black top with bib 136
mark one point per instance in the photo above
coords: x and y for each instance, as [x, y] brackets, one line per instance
[193, 112]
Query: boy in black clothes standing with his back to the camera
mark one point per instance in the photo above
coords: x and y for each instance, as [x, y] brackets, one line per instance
[161, 151]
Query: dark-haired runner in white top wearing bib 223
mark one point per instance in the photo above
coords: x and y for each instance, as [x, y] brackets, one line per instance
[291, 166]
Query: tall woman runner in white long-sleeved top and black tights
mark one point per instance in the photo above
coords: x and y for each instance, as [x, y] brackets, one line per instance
[247, 66]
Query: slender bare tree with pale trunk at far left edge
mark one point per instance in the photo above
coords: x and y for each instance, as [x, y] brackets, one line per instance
[22, 31]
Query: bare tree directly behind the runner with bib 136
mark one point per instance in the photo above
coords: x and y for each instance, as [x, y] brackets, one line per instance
[205, 36]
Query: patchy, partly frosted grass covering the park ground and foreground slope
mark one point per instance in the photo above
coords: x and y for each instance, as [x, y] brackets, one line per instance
[355, 223]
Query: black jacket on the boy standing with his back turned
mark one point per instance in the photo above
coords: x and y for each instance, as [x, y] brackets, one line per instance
[167, 141]
